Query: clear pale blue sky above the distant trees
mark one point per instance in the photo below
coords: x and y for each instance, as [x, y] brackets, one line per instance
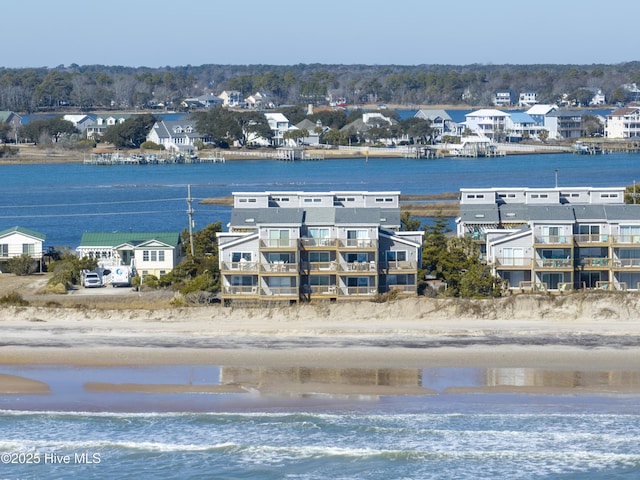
[158, 33]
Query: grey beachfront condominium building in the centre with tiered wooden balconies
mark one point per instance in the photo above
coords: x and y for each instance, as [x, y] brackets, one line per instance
[303, 246]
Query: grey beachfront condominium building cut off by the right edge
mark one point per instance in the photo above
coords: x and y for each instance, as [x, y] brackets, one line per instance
[555, 238]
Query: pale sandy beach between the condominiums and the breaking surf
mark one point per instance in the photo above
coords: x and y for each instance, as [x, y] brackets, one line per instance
[576, 343]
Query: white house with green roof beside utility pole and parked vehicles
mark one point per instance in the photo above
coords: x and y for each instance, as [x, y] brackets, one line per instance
[150, 253]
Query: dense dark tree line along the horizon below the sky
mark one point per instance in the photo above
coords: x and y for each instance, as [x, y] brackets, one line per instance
[93, 87]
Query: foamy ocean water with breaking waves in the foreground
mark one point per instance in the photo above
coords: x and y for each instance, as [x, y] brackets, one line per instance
[515, 439]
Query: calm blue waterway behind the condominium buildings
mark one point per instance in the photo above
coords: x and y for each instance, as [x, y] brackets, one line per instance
[64, 200]
